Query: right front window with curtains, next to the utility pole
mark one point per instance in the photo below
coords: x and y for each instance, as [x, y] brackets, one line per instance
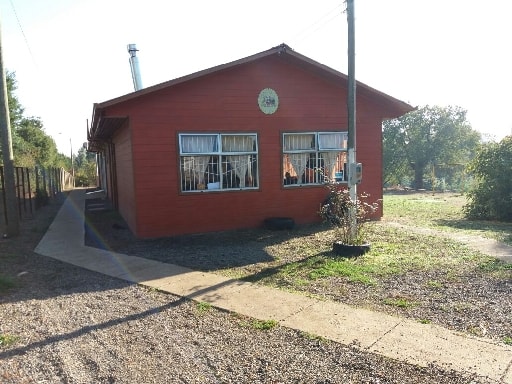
[314, 157]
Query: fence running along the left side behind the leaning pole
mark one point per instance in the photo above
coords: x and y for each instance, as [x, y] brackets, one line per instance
[34, 187]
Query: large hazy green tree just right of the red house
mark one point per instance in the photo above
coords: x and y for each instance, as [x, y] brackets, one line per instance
[418, 143]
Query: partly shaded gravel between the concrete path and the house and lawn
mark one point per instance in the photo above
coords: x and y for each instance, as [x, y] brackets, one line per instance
[465, 298]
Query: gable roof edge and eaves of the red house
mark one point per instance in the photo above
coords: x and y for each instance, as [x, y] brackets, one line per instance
[102, 126]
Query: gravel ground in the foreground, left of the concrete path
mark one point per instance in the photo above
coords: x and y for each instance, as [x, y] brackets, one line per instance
[62, 324]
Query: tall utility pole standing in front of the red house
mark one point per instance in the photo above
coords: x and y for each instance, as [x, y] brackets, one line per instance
[351, 108]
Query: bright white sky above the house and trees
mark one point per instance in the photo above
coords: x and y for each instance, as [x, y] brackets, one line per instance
[70, 54]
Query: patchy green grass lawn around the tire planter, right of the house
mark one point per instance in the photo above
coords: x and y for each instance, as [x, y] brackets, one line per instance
[394, 251]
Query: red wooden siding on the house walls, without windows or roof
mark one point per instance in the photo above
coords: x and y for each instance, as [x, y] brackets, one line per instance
[226, 101]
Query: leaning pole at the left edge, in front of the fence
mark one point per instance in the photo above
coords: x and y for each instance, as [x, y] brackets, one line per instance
[13, 219]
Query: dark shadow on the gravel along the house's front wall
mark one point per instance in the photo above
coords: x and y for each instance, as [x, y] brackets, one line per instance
[206, 252]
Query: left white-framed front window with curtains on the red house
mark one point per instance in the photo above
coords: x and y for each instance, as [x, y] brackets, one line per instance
[218, 161]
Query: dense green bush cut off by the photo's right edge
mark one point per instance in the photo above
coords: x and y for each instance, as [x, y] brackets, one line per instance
[491, 196]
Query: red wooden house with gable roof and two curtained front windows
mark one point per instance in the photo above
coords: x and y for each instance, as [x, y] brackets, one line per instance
[229, 146]
